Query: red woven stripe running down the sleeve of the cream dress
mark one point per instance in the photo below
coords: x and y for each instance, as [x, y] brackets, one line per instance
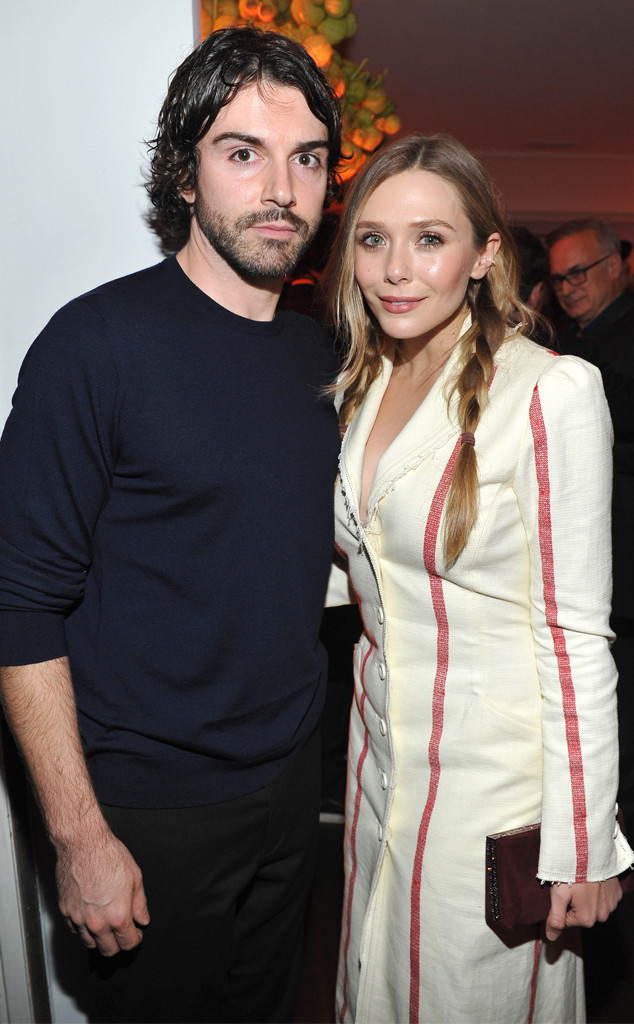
[540, 442]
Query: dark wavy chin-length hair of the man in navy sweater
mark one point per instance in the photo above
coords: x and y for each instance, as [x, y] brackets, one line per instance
[205, 82]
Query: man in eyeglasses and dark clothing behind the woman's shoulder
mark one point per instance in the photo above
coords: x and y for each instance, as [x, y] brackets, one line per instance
[587, 277]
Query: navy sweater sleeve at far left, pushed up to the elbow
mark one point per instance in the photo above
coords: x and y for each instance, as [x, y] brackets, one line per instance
[56, 468]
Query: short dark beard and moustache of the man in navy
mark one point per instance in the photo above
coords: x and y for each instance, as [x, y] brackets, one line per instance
[256, 258]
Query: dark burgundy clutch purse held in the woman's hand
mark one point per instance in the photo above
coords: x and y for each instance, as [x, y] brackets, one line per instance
[515, 895]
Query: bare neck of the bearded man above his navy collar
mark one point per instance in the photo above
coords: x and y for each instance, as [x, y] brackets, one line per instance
[253, 300]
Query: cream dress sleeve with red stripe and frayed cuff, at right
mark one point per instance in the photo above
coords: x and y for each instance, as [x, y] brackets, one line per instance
[565, 489]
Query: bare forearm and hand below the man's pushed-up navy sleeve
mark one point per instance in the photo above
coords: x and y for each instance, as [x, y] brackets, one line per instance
[100, 885]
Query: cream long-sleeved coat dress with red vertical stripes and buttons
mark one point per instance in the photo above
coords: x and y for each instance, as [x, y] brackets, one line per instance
[484, 696]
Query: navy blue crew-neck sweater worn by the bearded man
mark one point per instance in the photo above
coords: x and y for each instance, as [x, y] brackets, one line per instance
[166, 521]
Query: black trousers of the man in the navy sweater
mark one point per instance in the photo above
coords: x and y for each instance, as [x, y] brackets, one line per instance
[227, 887]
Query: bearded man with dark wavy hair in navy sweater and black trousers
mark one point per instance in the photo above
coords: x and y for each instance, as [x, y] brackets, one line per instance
[165, 541]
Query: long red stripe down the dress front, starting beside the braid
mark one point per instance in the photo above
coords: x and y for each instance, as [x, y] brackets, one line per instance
[438, 710]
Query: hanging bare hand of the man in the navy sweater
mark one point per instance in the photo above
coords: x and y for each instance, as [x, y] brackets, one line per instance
[102, 894]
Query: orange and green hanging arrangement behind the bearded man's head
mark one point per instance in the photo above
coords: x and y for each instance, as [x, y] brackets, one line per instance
[320, 26]
